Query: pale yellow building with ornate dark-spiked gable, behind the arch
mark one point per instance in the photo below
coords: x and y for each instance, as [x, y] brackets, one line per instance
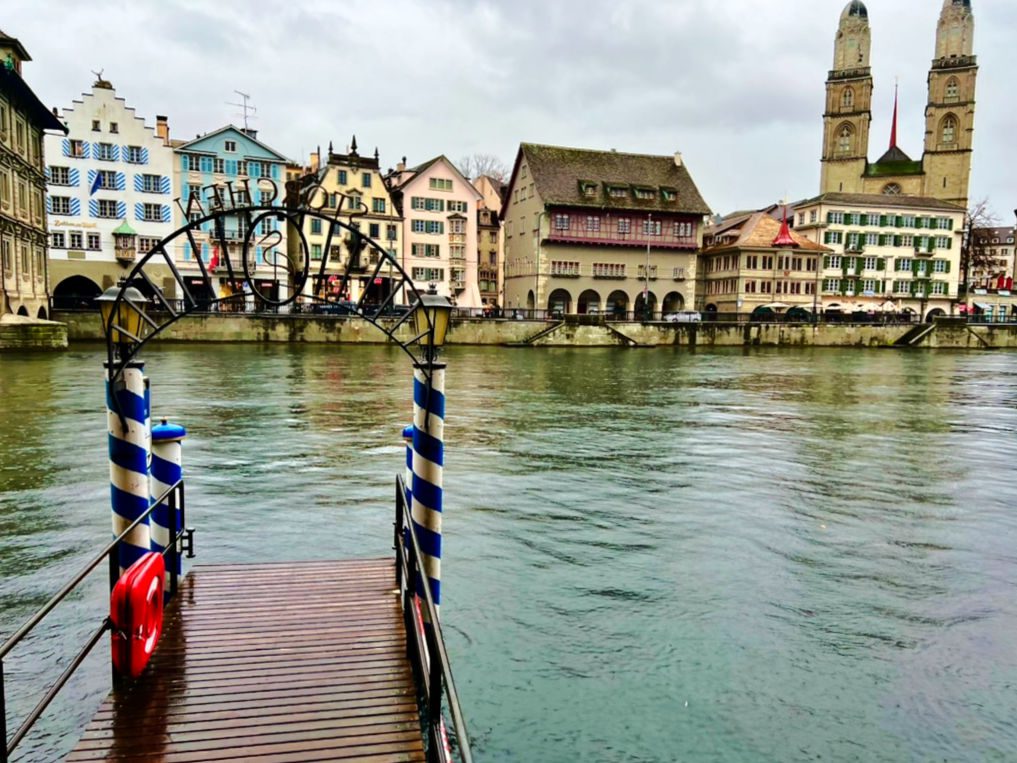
[353, 189]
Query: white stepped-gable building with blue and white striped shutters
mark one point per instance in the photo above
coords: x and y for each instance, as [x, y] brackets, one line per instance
[112, 169]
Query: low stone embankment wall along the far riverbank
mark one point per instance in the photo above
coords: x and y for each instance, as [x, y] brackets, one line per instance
[226, 328]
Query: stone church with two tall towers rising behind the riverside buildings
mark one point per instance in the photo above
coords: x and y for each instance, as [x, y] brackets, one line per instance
[944, 170]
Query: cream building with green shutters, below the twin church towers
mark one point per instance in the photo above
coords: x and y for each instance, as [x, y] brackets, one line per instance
[890, 254]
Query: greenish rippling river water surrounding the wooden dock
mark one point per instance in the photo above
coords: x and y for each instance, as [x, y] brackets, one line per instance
[650, 556]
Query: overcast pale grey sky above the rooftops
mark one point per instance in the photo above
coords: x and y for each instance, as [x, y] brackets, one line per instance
[738, 86]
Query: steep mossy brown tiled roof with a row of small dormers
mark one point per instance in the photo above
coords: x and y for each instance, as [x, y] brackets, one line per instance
[559, 171]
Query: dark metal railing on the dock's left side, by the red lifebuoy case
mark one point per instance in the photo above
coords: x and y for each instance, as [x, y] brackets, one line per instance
[184, 542]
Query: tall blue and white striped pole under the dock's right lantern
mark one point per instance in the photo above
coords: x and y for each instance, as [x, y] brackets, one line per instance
[429, 465]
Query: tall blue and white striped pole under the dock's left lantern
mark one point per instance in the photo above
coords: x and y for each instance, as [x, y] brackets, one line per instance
[130, 453]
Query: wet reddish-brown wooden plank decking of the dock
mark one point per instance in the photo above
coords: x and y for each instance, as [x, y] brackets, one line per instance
[271, 664]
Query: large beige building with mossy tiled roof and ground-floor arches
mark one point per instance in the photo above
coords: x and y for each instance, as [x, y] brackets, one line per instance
[593, 231]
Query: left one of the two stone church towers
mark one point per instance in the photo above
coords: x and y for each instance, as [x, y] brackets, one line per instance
[849, 108]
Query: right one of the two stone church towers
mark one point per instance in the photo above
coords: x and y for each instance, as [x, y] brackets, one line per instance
[950, 113]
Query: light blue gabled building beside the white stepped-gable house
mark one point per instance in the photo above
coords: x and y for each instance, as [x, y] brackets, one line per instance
[231, 167]
